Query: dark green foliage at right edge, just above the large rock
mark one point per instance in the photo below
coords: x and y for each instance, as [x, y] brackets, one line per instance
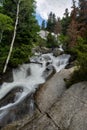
[80, 74]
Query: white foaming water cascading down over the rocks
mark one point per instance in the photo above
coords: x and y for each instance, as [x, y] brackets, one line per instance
[28, 77]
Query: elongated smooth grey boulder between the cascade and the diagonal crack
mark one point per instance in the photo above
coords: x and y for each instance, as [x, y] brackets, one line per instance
[49, 93]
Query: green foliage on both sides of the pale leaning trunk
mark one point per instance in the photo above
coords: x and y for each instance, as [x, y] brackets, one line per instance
[27, 29]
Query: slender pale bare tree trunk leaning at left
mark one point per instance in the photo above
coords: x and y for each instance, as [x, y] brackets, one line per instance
[13, 39]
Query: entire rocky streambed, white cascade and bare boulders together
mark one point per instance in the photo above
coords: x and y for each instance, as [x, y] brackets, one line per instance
[36, 98]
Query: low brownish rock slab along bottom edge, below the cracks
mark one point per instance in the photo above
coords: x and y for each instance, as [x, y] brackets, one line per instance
[42, 122]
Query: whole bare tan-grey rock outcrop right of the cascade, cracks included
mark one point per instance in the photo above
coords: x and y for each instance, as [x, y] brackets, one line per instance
[58, 108]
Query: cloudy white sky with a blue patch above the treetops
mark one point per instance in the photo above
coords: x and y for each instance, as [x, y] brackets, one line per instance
[44, 7]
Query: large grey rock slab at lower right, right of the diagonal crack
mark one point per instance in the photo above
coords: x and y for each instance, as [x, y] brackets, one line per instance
[70, 113]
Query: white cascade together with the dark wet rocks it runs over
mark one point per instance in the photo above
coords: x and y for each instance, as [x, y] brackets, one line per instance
[17, 95]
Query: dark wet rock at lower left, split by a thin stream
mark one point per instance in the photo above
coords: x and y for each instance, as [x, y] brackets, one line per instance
[18, 111]
